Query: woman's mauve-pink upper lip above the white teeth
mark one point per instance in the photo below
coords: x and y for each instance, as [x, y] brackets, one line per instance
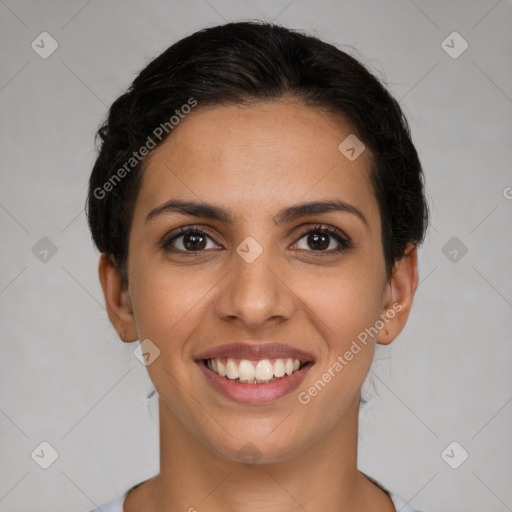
[258, 351]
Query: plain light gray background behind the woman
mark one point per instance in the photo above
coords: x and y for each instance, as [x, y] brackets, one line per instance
[68, 380]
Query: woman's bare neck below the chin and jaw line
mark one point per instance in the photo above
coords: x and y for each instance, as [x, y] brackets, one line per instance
[322, 477]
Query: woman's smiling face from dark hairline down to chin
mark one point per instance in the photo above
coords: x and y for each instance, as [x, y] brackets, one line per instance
[255, 270]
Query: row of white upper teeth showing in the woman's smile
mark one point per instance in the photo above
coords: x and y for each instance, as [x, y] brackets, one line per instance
[250, 371]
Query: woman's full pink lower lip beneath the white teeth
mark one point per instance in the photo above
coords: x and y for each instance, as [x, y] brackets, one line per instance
[255, 393]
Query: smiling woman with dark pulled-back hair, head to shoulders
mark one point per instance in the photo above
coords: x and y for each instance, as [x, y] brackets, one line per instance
[258, 203]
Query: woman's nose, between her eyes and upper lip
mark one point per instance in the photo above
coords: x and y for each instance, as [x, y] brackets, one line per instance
[255, 294]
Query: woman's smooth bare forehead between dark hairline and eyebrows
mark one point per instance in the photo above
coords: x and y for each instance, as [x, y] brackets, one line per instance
[257, 156]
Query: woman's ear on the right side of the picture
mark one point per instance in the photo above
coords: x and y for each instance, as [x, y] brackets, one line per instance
[398, 295]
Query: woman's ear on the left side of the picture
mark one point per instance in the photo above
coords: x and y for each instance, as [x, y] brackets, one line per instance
[117, 299]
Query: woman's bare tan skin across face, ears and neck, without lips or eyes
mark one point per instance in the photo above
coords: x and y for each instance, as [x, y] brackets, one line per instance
[254, 161]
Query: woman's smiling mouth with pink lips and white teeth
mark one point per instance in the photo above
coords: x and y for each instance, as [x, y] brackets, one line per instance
[255, 373]
